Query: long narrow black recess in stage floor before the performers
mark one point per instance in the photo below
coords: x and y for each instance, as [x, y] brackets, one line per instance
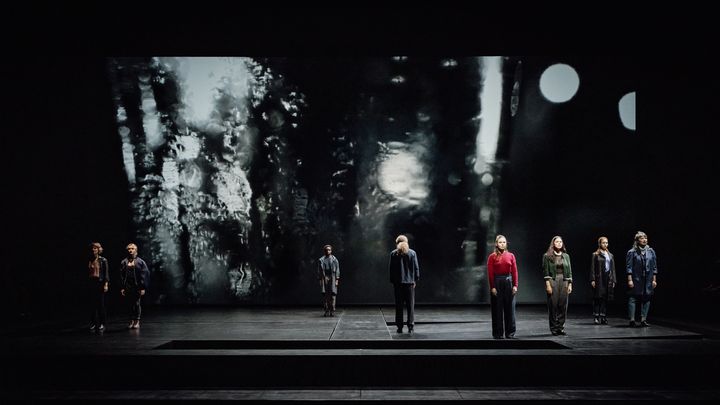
[501, 344]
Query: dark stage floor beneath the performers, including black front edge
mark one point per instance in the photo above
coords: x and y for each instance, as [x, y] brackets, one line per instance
[296, 353]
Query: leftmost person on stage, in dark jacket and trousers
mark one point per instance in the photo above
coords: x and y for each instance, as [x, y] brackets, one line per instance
[98, 281]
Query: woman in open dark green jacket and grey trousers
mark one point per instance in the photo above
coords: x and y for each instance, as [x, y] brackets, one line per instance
[558, 284]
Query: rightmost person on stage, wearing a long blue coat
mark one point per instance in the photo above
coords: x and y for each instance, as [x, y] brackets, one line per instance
[641, 270]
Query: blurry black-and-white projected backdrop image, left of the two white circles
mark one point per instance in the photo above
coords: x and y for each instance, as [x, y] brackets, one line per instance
[241, 169]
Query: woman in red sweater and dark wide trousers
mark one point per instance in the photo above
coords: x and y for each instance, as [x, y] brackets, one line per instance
[503, 278]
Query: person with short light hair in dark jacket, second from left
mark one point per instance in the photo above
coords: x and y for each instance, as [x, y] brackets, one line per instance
[134, 275]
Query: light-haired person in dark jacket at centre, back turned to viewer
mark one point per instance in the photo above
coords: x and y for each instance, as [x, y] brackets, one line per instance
[404, 274]
